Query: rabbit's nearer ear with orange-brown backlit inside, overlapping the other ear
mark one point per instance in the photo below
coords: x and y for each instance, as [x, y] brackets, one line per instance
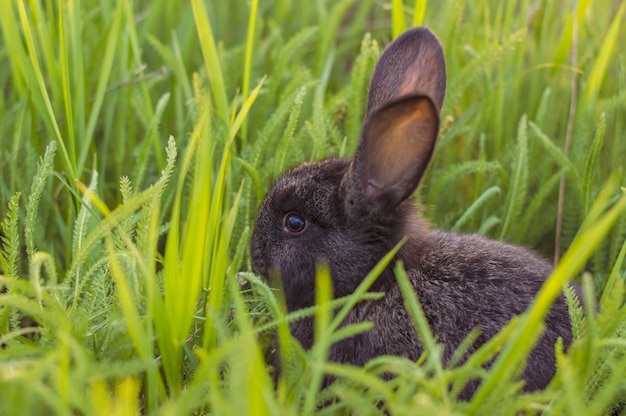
[396, 145]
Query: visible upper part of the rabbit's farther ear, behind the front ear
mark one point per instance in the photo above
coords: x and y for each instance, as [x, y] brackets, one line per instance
[413, 64]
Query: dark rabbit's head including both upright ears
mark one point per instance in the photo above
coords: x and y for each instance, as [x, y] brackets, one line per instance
[350, 213]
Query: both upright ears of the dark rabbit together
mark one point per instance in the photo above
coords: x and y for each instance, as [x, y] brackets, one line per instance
[398, 138]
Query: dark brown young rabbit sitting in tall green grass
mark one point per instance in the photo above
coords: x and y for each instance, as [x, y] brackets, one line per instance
[350, 213]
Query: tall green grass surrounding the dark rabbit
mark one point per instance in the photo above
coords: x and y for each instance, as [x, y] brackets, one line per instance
[138, 138]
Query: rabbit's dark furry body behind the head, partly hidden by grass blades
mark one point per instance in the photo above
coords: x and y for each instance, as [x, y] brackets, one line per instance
[462, 282]
